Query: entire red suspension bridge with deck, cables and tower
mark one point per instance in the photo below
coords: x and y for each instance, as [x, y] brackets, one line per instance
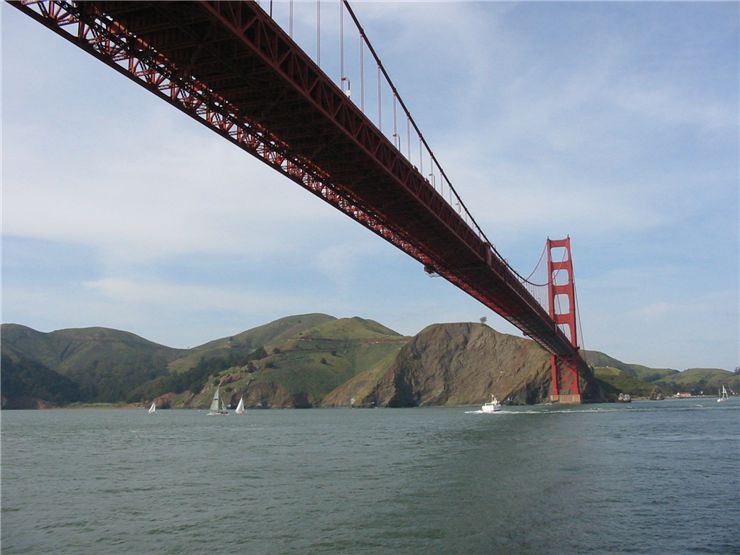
[234, 68]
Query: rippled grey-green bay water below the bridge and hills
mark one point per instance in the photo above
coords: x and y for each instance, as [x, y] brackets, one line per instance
[650, 477]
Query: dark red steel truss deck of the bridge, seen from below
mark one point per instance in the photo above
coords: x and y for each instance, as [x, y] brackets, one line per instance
[233, 69]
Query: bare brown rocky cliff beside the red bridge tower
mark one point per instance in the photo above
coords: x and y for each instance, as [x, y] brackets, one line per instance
[457, 364]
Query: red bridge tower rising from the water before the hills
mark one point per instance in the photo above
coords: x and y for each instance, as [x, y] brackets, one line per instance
[565, 387]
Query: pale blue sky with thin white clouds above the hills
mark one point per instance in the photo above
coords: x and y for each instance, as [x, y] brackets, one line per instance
[613, 123]
